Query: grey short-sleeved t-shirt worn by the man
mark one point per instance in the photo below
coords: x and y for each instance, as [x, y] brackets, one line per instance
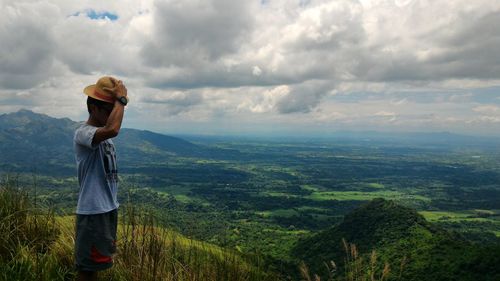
[97, 172]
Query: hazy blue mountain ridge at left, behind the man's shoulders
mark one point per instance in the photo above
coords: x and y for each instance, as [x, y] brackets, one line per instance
[32, 142]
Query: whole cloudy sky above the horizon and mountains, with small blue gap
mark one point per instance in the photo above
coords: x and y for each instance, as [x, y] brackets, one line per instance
[289, 67]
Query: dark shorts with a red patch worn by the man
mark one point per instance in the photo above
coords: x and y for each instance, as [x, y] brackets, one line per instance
[95, 241]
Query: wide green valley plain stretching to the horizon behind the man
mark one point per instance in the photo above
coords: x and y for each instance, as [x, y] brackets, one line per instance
[262, 196]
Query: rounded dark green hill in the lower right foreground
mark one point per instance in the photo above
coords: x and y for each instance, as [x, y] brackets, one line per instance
[395, 232]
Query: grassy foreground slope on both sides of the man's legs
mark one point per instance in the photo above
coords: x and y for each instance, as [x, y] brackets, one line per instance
[37, 245]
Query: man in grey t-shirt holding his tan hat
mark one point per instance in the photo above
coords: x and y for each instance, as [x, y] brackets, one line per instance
[97, 209]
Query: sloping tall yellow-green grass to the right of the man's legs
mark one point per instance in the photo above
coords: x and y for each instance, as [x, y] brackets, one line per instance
[148, 252]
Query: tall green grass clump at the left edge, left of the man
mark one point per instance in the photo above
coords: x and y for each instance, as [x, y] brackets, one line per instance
[26, 234]
